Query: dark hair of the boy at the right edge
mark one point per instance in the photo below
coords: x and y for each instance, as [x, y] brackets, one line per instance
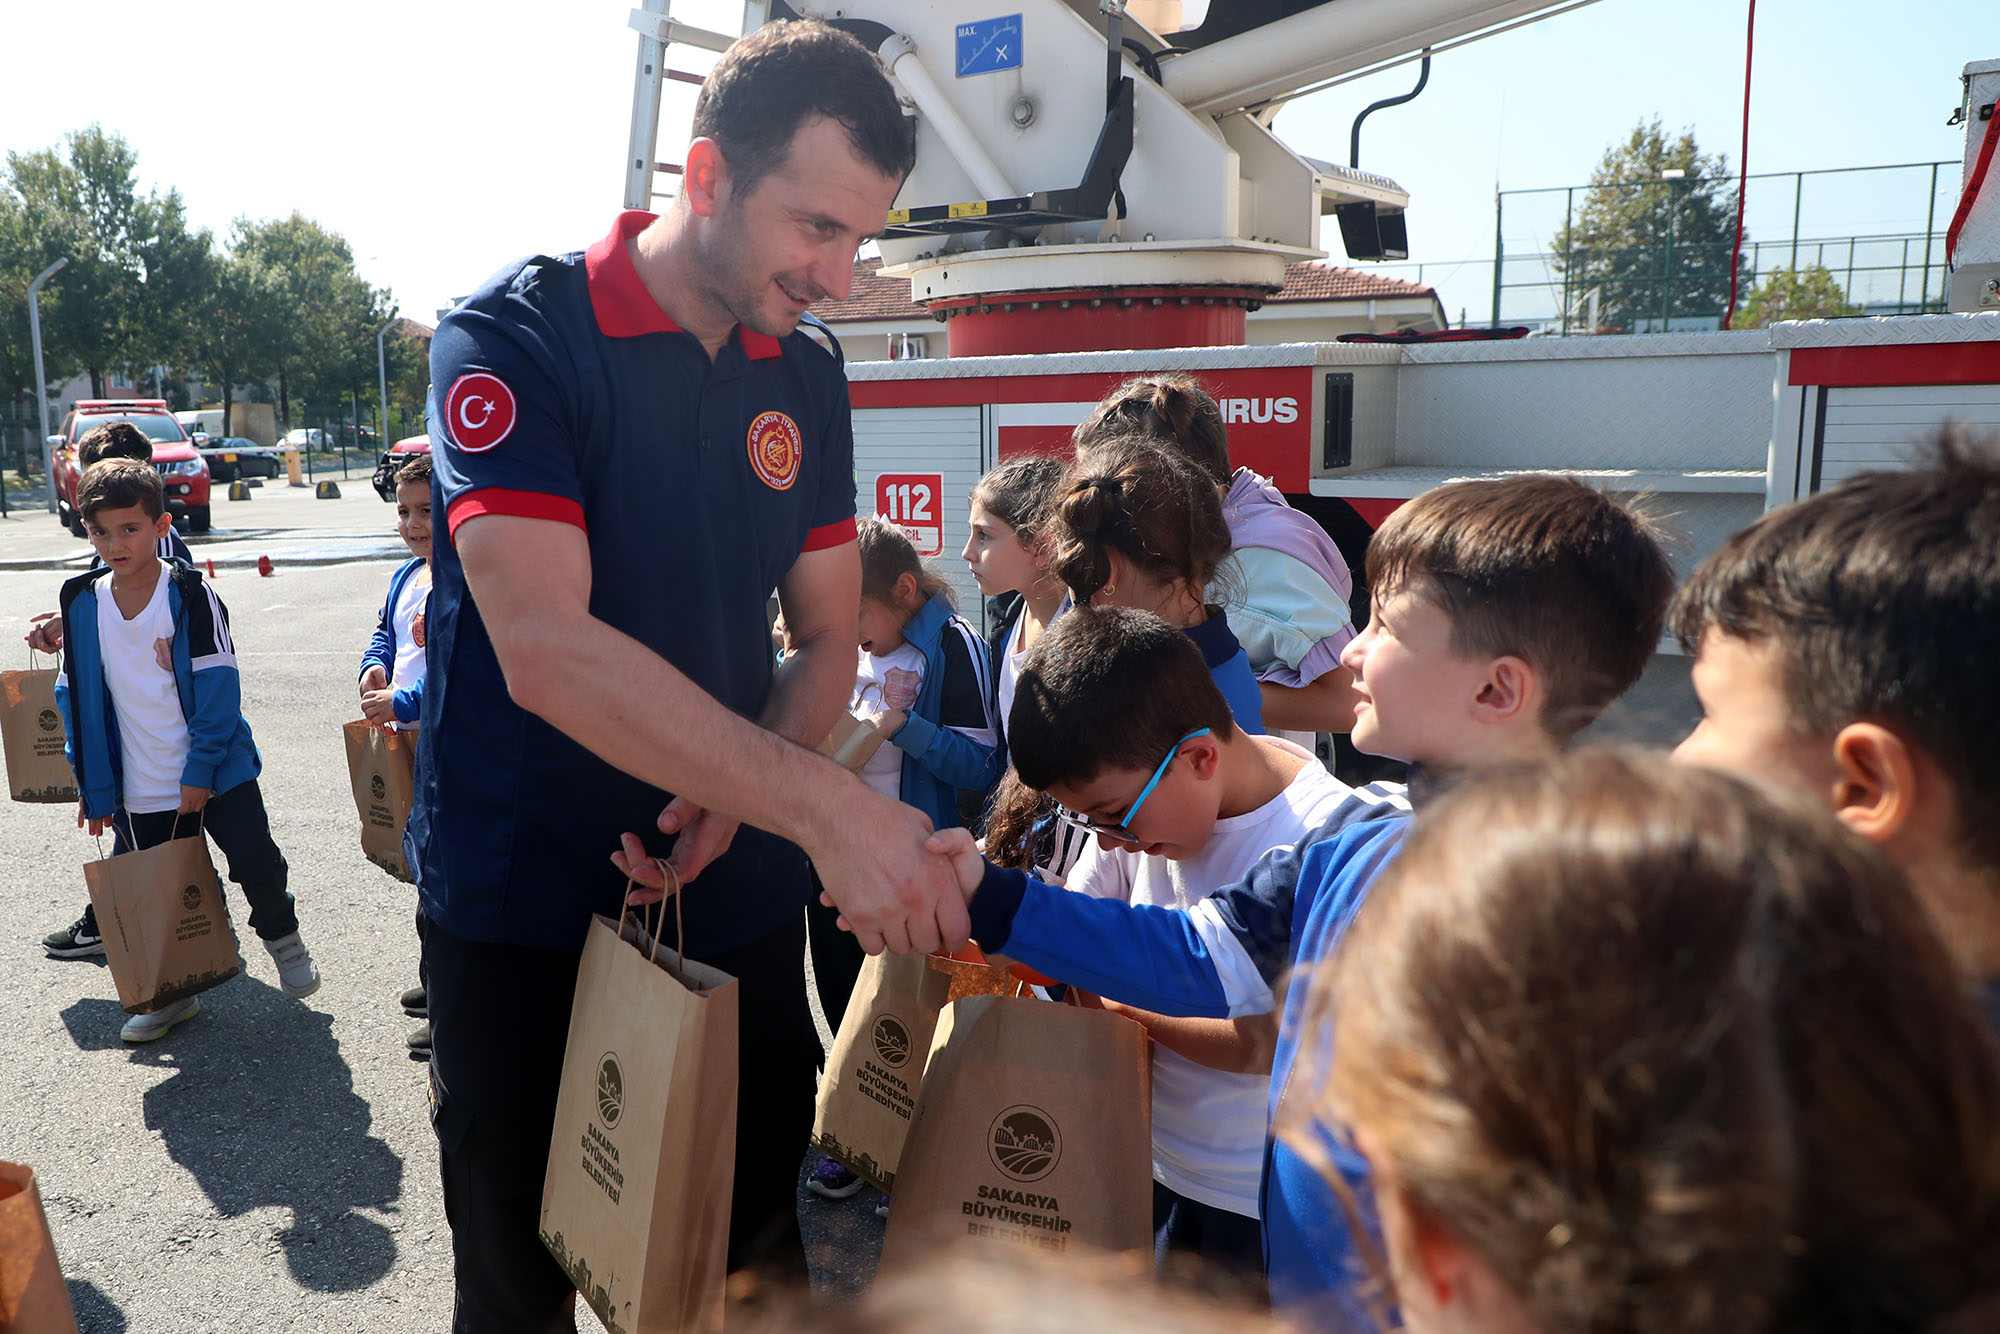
[1883, 603]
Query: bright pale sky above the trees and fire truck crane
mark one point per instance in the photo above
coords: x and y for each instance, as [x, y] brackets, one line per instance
[445, 139]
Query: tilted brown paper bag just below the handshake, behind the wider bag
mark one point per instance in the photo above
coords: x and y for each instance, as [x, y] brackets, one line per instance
[877, 1063]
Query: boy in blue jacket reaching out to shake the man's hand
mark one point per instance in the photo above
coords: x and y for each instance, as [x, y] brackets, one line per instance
[1505, 617]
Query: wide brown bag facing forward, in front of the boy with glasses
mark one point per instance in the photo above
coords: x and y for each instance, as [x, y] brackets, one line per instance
[1033, 1131]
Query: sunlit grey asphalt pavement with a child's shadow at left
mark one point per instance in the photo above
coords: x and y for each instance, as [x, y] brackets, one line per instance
[269, 1165]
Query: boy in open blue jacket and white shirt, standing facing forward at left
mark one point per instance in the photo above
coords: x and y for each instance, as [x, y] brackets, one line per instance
[151, 705]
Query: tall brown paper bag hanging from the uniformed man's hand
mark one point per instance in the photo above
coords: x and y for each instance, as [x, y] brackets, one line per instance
[641, 1167]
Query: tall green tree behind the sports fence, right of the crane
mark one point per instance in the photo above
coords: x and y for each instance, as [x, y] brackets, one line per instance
[1653, 237]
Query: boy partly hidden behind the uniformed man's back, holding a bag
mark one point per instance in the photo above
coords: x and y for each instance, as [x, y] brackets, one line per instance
[393, 669]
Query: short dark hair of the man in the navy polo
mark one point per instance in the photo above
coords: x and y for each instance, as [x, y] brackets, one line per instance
[777, 79]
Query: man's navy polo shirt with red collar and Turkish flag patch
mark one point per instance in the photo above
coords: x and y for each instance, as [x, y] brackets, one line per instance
[561, 391]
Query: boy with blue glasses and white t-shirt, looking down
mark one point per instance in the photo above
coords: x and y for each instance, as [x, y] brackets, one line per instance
[1119, 719]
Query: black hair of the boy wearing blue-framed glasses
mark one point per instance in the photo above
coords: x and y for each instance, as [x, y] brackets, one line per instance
[1109, 689]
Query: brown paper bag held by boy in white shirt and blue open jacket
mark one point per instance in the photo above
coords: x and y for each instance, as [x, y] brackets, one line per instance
[167, 929]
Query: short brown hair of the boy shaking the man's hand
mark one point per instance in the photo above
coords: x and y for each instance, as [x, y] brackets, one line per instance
[1541, 569]
